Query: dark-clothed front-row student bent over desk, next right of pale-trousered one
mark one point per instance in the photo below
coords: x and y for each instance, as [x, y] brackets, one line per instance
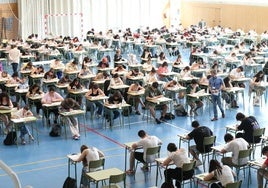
[115, 98]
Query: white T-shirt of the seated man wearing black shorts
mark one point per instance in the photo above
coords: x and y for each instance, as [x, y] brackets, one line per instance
[148, 142]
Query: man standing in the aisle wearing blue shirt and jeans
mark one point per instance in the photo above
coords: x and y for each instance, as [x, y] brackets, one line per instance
[215, 87]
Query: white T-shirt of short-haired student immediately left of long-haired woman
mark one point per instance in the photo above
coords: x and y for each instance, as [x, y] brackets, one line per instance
[179, 157]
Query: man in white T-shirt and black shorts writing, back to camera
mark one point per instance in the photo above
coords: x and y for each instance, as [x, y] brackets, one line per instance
[146, 141]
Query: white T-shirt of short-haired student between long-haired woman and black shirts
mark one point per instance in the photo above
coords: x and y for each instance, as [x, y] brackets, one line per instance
[235, 146]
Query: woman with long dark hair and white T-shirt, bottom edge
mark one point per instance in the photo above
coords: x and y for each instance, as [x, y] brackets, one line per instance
[223, 173]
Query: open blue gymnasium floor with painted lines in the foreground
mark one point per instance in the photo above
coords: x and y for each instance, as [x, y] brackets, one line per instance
[45, 165]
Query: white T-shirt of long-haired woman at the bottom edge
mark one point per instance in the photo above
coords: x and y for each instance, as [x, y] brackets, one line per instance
[226, 176]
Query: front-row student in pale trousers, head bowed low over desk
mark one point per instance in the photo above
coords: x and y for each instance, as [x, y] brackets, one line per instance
[67, 105]
